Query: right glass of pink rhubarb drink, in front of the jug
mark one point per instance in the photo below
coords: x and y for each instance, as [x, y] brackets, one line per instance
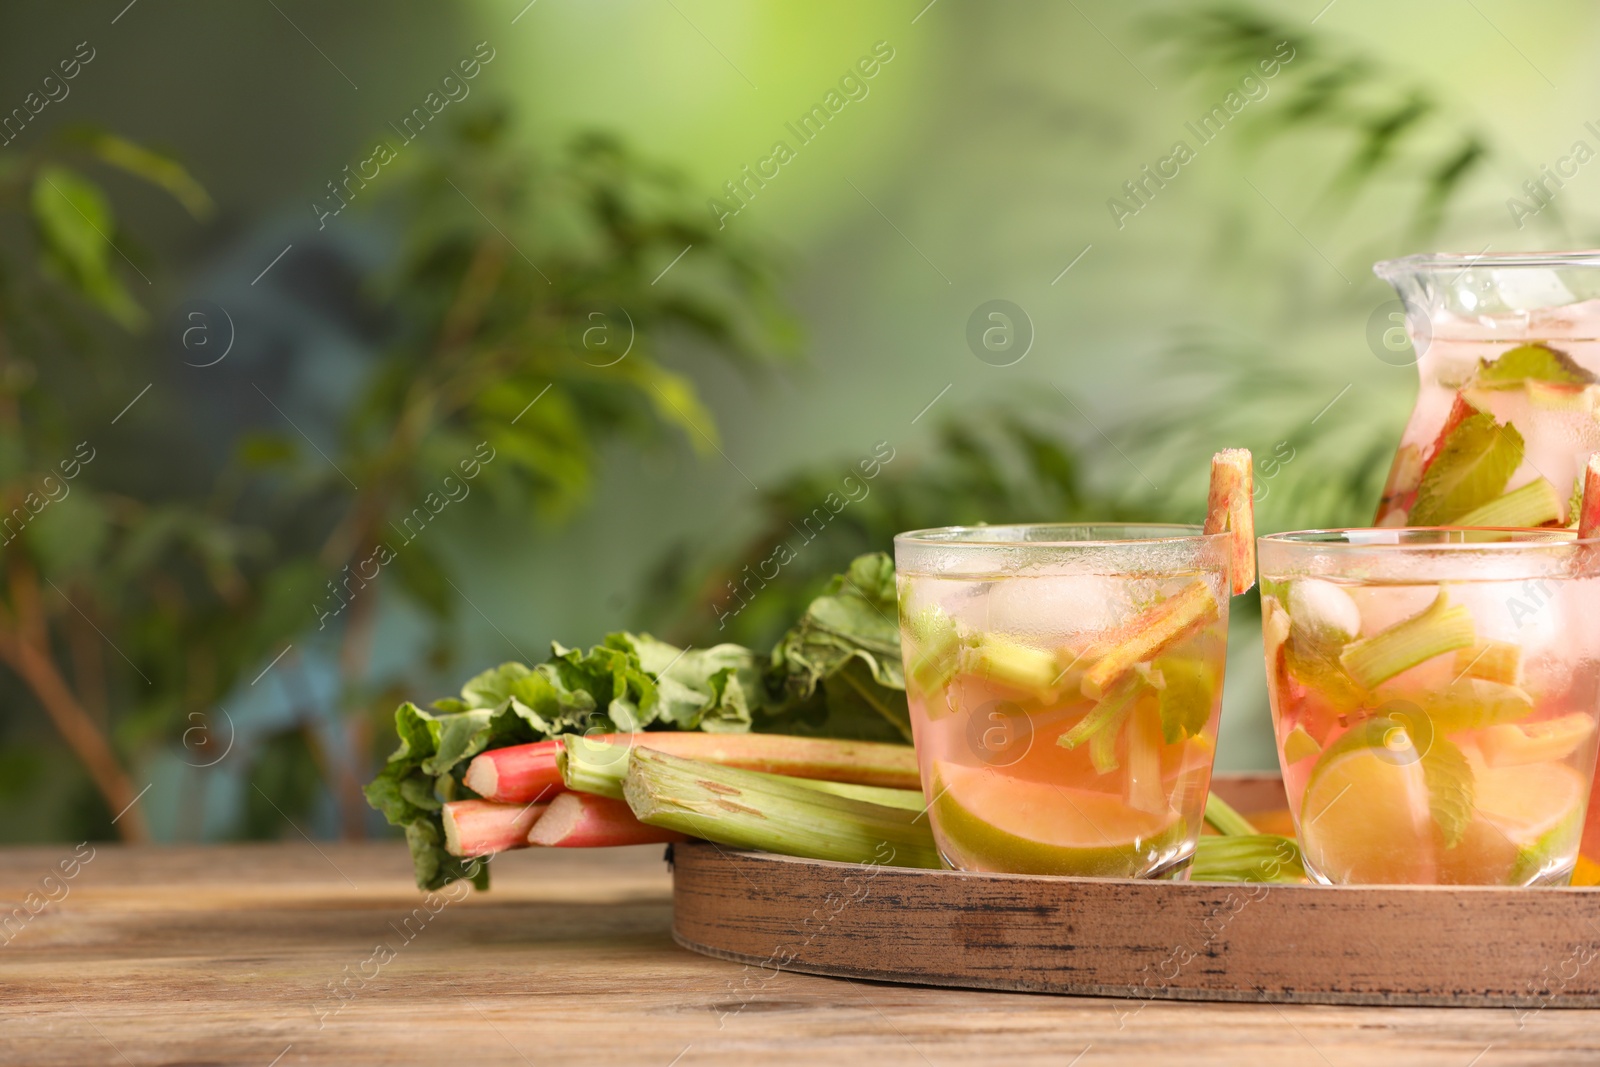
[1436, 695]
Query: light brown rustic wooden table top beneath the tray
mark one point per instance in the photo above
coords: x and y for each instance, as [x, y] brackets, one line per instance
[297, 954]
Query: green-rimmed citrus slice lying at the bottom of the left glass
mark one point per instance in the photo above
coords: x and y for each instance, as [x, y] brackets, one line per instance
[988, 821]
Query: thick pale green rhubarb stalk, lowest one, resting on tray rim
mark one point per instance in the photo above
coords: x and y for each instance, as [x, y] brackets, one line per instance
[751, 810]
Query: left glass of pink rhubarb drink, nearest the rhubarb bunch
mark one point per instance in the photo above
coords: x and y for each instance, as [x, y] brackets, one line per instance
[1065, 689]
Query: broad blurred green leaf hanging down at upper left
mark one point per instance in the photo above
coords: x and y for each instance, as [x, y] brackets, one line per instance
[74, 225]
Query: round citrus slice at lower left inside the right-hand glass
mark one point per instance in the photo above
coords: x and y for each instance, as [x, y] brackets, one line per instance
[1366, 812]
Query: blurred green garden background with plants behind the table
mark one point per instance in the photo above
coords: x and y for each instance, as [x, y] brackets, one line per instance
[351, 350]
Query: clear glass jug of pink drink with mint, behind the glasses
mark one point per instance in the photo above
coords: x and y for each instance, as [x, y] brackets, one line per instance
[1508, 412]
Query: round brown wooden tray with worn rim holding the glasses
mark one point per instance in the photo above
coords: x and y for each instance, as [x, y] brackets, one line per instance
[1473, 946]
